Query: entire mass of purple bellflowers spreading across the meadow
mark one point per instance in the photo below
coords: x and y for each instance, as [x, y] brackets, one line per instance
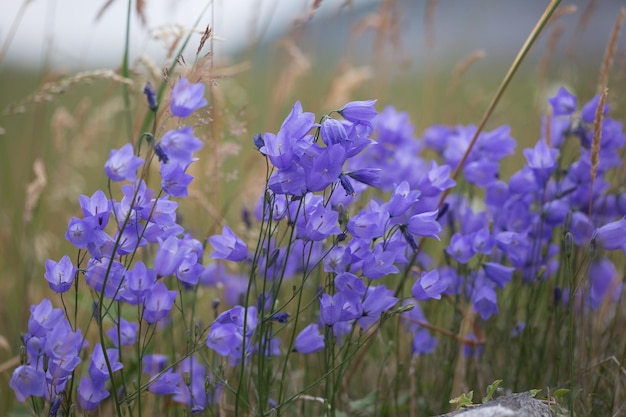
[352, 216]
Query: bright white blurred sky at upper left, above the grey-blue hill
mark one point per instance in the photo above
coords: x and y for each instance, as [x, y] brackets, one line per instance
[67, 33]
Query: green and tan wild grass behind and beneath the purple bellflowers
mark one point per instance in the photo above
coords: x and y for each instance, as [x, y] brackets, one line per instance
[57, 133]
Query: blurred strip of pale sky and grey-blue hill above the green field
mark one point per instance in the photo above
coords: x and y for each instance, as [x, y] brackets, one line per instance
[67, 34]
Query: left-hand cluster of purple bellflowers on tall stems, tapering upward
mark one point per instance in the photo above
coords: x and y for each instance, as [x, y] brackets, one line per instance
[108, 235]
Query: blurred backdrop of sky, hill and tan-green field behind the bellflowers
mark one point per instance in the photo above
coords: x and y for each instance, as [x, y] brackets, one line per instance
[62, 107]
